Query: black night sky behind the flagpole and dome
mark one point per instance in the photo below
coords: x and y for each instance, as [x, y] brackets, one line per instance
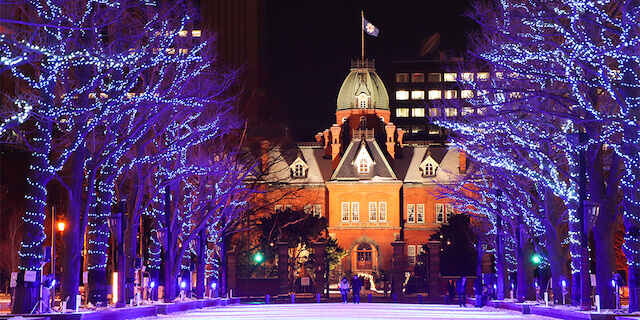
[310, 45]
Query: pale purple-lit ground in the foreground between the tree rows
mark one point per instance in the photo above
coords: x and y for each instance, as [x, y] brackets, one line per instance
[349, 311]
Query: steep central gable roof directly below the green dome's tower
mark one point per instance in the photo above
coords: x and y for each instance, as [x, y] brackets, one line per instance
[381, 170]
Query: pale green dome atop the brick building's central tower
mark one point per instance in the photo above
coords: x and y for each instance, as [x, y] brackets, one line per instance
[363, 79]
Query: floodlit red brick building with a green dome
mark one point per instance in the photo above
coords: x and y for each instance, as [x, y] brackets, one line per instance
[372, 186]
